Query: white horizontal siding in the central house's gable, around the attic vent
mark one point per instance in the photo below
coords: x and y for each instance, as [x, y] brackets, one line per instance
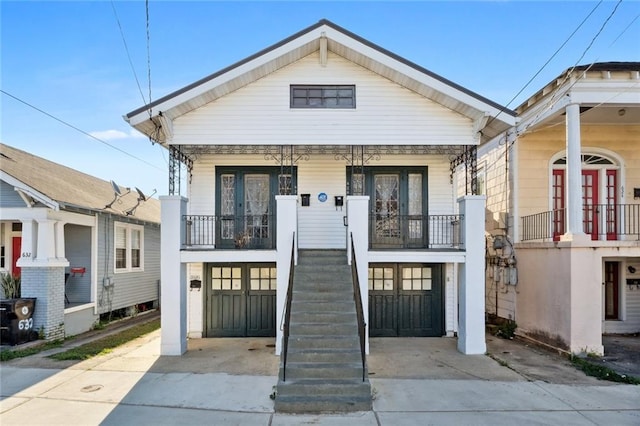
[385, 113]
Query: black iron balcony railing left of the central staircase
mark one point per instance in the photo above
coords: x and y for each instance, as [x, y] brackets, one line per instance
[230, 232]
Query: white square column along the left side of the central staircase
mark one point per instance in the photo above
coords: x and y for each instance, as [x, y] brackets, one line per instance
[287, 224]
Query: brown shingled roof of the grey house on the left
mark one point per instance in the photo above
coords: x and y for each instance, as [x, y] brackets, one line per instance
[60, 187]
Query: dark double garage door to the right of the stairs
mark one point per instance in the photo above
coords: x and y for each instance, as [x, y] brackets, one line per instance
[405, 300]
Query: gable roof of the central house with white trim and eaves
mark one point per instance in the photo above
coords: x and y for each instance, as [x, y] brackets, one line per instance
[154, 119]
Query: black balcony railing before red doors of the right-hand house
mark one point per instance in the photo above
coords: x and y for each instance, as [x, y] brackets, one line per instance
[601, 221]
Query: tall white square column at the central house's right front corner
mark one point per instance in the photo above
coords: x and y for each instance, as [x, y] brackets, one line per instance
[471, 327]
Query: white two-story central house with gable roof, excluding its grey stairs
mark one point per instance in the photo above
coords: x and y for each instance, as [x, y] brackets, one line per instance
[318, 139]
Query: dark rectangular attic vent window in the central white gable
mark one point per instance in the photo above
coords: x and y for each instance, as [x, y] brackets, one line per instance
[321, 96]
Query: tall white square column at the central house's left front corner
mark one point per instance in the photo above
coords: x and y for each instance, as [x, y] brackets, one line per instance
[173, 277]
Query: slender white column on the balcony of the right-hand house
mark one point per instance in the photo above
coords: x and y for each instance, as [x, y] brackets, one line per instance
[574, 176]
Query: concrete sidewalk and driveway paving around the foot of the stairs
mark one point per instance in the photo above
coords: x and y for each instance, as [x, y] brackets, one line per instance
[229, 381]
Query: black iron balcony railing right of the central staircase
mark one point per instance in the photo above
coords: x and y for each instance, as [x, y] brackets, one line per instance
[415, 231]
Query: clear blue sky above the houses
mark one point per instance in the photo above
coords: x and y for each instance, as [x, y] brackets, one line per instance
[69, 59]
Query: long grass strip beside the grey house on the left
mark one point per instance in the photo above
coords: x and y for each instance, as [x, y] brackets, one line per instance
[107, 344]
